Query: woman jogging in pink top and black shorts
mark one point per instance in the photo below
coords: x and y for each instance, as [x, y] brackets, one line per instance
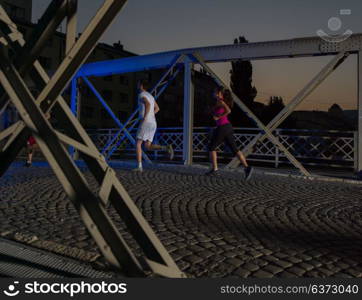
[224, 132]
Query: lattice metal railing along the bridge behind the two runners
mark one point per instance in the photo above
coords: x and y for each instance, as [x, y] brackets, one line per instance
[311, 147]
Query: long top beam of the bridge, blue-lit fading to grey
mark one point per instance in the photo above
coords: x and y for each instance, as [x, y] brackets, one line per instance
[300, 47]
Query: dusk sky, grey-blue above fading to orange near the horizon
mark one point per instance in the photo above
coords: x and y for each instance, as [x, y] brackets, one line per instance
[157, 25]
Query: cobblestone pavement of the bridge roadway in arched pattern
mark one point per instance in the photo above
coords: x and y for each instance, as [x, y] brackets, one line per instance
[213, 226]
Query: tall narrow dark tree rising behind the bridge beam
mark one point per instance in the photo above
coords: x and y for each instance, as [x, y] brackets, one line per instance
[241, 74]
